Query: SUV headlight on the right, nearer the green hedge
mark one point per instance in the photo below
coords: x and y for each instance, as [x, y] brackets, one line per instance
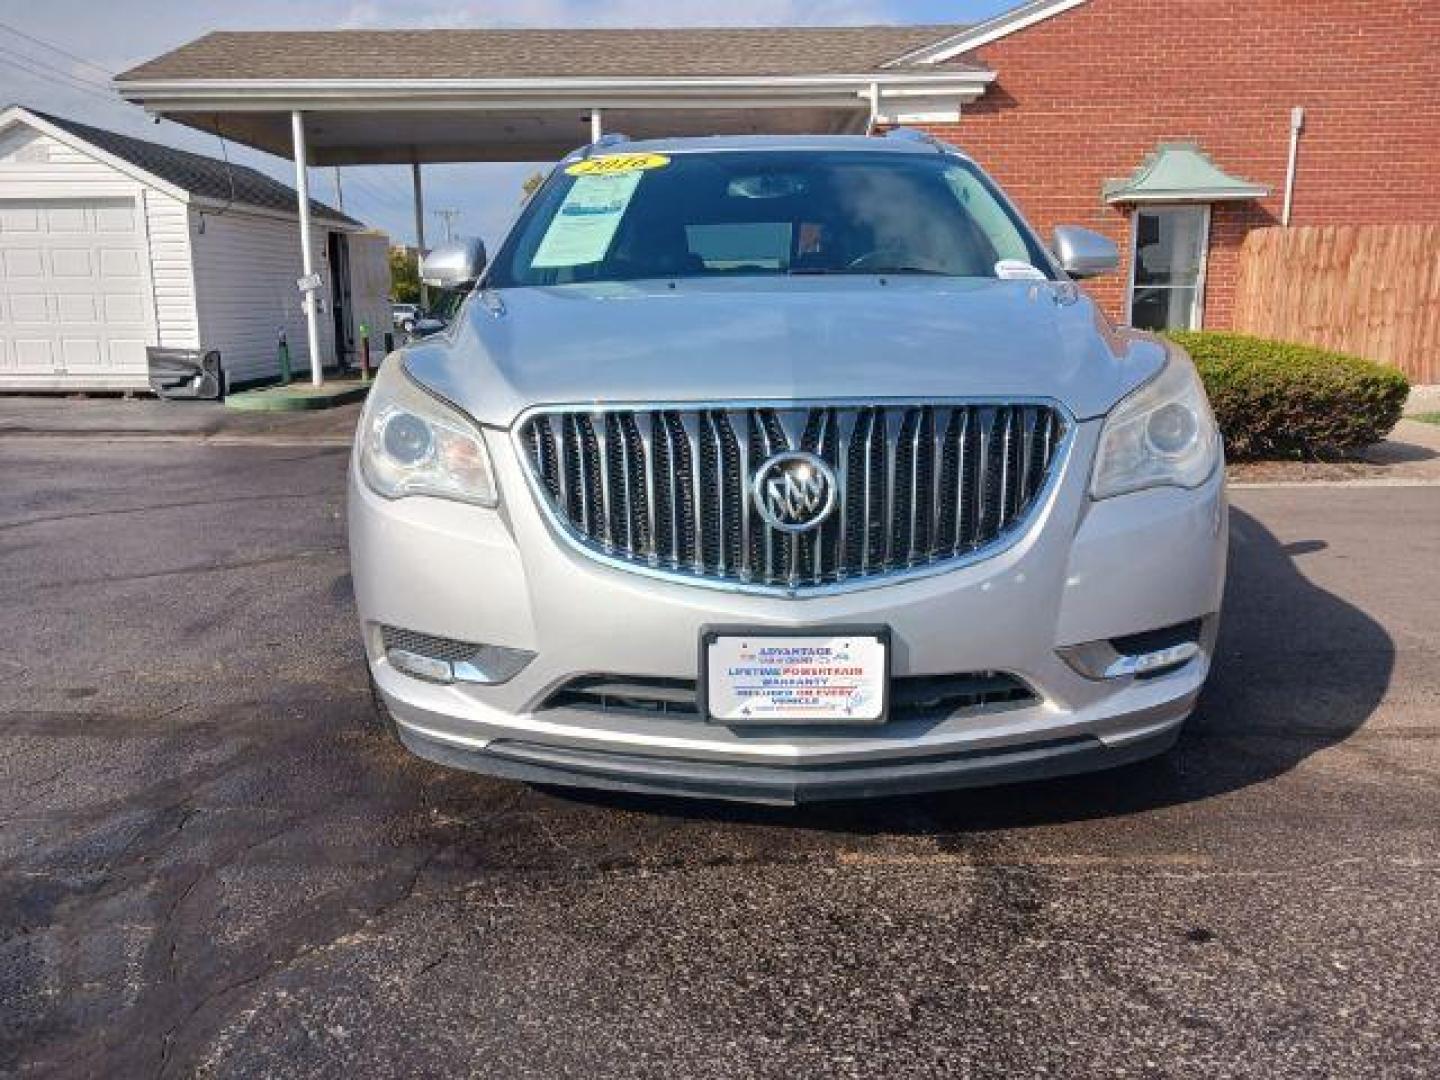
[1164, 434]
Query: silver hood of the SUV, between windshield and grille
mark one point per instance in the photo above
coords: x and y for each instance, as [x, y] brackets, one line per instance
[781, 339]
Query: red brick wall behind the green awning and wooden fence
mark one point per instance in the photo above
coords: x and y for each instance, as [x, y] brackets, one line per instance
[1088, 94]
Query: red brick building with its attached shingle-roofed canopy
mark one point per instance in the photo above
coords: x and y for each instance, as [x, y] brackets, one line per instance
[1167, 125]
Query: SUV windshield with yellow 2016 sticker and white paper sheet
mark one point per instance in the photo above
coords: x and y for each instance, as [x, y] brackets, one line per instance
[702, 215]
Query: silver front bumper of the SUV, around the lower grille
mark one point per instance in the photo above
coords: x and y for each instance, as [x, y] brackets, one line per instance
[1084, 572]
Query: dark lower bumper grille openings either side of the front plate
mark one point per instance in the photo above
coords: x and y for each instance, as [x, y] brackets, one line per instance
[912, 698]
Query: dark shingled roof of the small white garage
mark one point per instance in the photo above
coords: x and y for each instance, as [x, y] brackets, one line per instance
[195, 174]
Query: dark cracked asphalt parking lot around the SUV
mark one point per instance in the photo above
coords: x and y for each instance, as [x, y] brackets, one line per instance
[211, 865]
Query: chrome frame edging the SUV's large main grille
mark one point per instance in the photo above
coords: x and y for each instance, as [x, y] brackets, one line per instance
[1022, 529]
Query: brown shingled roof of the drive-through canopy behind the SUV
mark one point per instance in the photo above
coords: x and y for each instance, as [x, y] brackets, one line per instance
[228, 55]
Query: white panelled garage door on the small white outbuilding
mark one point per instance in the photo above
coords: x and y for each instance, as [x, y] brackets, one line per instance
[73, 293]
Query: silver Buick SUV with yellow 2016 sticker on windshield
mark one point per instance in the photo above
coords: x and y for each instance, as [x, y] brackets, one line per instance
[786, 470]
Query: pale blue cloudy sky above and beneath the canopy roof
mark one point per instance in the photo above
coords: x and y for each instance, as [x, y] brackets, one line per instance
[58, 55]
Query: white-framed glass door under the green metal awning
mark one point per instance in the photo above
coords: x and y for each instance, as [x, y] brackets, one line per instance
[1170, 247]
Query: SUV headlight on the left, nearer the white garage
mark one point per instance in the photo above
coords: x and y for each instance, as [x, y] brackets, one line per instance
[414, 444]
